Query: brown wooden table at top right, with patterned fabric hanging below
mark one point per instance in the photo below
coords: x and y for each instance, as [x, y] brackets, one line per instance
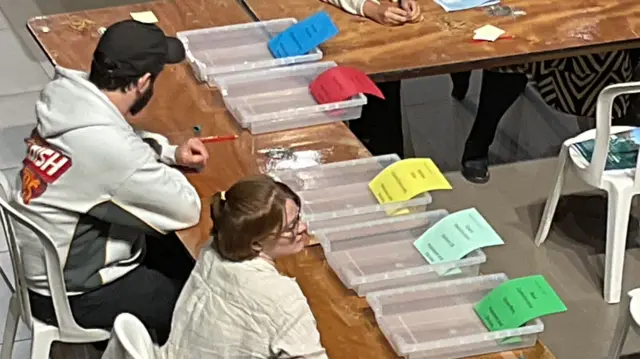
[442, 42]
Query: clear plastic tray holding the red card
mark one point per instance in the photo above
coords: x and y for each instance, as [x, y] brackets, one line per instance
[279, 99]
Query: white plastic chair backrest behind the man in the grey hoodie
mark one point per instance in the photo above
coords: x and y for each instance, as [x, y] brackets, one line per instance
[9, 217]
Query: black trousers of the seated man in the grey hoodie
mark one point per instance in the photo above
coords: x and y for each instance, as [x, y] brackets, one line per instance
[149, 292]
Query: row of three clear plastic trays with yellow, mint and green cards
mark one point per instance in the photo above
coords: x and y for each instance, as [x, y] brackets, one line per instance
[424, 310]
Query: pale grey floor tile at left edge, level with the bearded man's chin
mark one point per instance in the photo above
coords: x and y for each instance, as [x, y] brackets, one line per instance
[18, 109]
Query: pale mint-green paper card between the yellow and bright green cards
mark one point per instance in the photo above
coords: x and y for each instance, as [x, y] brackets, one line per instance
[455, 236]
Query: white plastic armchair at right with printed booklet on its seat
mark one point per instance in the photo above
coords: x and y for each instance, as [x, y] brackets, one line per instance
[620, 185]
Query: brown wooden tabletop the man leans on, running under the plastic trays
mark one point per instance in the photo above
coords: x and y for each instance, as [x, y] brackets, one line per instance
[345, 322]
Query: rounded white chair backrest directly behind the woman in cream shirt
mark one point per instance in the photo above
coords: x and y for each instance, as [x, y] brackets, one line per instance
[134, 337]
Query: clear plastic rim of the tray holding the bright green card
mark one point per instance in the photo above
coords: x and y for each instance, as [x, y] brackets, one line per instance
[448, 288]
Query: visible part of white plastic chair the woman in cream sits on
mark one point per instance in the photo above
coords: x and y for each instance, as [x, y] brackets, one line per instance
[130, 340]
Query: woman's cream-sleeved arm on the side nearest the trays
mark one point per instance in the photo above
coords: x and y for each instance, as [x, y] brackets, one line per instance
[298, 336]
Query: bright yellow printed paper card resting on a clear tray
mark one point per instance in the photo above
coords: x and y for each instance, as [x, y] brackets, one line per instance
[406, 179]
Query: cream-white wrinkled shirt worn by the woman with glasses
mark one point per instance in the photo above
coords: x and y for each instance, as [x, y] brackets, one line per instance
[241, 310]
